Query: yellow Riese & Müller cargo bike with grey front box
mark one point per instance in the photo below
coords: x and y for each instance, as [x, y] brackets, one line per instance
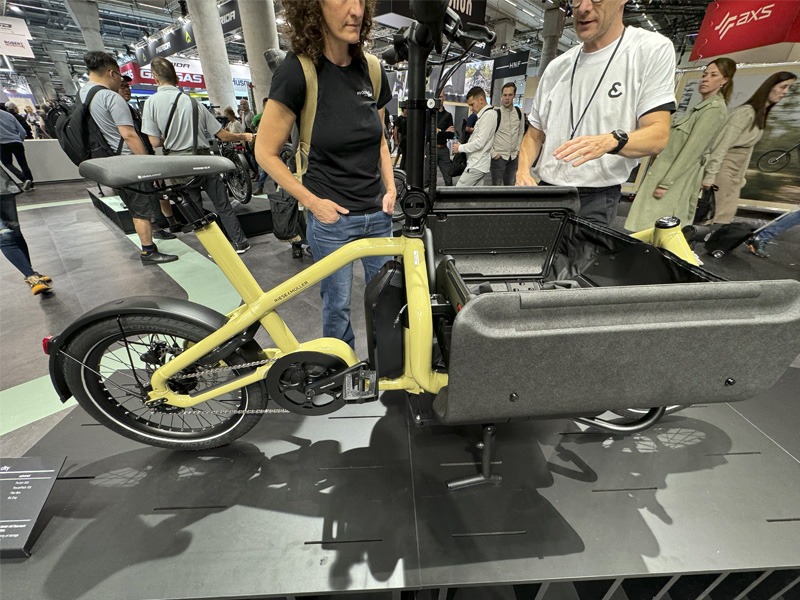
[498, 304]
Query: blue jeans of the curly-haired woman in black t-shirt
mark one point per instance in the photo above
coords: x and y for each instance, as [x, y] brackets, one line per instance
[336, 289]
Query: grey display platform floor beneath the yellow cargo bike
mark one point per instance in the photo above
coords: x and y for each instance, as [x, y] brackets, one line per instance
[704, 505]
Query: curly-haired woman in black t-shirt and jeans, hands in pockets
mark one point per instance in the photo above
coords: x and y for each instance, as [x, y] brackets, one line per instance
[348, 188]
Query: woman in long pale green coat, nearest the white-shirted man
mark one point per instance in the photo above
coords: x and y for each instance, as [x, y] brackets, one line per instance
[672, 183]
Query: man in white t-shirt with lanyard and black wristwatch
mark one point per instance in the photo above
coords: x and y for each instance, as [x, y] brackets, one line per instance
[599, 108]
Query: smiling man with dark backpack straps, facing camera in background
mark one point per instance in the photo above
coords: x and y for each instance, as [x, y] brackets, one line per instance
[507, 138]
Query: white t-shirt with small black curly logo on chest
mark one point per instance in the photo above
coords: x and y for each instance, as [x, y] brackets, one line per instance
[640, 78]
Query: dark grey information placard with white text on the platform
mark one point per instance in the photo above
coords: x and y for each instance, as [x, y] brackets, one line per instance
[25, 484]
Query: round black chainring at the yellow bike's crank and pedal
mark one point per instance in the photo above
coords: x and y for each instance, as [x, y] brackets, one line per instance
[289, 377]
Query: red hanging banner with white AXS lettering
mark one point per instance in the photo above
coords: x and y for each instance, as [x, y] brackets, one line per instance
[735, 25]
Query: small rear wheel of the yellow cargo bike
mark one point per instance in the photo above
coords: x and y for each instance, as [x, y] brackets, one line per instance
[109, 374]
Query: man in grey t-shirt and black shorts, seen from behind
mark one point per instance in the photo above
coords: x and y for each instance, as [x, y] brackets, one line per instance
[113, 117]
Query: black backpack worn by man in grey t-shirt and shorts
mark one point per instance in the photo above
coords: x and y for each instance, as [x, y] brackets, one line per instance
[79, 136]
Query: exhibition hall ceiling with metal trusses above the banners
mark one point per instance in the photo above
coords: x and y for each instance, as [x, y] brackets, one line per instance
[123, 23]
